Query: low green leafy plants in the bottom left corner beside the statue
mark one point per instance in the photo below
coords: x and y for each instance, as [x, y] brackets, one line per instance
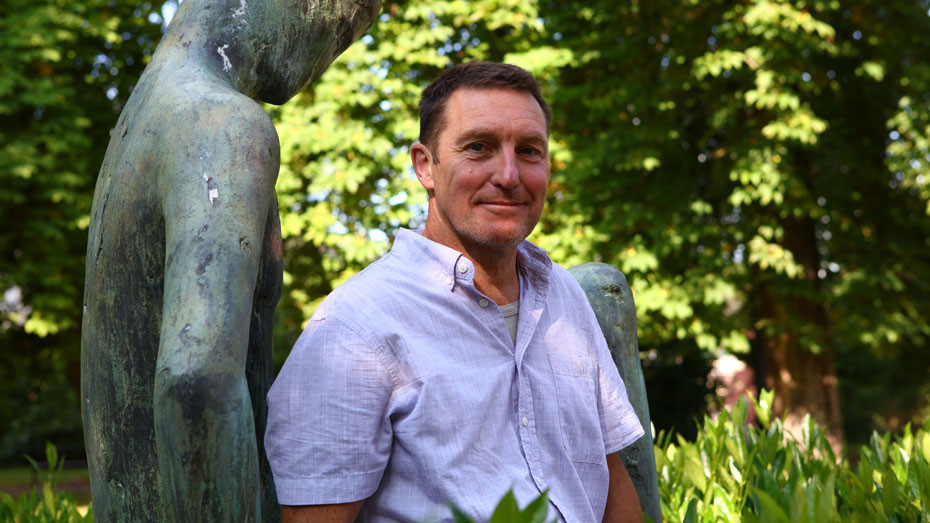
[46, 504]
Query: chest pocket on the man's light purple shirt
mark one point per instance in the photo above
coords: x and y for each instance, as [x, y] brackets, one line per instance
[580, 424]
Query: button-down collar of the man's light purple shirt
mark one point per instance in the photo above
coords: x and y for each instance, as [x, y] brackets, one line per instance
[448, 265]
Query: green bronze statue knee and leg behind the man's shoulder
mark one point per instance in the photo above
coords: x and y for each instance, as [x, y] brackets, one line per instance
[612, 300]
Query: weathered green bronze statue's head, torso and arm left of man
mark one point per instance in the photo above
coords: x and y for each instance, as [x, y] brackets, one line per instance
[184, 261]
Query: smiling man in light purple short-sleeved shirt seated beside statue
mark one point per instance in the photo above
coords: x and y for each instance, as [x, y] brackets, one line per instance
[463, 363]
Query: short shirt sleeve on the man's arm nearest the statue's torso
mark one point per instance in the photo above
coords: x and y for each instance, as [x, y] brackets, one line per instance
[329, 434]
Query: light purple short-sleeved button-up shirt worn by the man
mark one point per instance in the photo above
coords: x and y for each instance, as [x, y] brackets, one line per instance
[405, 389]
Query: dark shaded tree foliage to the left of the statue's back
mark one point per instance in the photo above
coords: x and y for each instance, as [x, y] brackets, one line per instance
[66, 69]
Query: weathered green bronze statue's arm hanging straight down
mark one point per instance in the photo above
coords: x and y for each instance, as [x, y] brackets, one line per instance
[215, 199]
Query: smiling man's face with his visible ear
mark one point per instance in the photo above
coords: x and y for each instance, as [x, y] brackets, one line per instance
[489, 187]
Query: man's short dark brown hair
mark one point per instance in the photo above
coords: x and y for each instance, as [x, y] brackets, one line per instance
[474, 75]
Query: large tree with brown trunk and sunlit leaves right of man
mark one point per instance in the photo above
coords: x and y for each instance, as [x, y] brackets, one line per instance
[734, 161]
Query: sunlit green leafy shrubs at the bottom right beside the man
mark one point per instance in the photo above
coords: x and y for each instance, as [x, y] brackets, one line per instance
[735, 471]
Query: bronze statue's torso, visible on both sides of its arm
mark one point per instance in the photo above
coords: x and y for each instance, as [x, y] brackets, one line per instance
[123, 303]
